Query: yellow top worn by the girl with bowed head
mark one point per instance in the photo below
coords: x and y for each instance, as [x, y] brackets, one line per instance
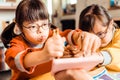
[114, 49]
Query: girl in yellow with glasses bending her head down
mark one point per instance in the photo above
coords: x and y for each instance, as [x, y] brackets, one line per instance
[96, 19]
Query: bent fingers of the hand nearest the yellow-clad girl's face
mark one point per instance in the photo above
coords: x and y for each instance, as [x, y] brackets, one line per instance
[90, 43]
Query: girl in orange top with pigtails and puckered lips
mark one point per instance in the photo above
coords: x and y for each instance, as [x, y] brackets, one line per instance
[31, 44]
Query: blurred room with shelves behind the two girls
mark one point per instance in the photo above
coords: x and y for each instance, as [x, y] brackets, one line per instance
[63, 13]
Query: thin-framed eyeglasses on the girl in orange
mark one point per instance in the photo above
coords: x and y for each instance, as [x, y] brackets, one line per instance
[36, 27]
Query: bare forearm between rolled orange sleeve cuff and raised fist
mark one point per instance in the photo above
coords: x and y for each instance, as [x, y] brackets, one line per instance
[35, 58]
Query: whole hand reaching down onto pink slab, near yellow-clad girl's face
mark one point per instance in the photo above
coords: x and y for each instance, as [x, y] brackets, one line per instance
[87, 42]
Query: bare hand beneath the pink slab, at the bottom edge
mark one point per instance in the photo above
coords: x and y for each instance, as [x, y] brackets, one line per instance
[73, 74]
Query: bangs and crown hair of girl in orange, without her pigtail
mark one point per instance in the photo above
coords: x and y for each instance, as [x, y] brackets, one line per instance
[30, 10]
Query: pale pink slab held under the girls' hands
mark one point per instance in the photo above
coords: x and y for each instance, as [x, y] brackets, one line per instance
[86, 63]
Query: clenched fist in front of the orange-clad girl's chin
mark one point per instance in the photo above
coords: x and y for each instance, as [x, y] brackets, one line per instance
[54, 46]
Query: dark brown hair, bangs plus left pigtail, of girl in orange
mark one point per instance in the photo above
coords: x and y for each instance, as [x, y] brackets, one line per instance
[27, 10]
